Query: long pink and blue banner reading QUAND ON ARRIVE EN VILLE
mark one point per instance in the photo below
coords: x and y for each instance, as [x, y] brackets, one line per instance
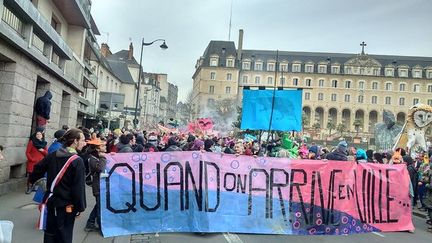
[209, 192]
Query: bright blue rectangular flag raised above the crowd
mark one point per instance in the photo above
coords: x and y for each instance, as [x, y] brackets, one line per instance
[287, 110]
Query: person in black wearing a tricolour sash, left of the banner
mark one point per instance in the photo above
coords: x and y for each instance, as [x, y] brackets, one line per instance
[65, 199]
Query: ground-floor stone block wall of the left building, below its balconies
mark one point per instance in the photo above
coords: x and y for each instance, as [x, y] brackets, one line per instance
[21, 82]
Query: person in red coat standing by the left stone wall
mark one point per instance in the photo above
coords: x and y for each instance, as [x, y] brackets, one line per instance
[35, 152]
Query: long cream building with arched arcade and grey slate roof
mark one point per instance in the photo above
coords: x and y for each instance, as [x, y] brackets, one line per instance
[342, 88]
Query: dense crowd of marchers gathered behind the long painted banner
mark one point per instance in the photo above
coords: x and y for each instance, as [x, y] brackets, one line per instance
[94, 144]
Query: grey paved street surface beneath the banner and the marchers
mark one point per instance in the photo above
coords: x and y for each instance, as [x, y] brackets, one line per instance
[17, 207]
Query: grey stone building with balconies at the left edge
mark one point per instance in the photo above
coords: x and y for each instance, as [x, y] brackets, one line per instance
[45, 45]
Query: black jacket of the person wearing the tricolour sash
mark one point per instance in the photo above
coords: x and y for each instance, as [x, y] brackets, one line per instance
[71, 188]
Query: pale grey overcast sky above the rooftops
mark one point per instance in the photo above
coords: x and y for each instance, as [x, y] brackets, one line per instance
[390, 27]
